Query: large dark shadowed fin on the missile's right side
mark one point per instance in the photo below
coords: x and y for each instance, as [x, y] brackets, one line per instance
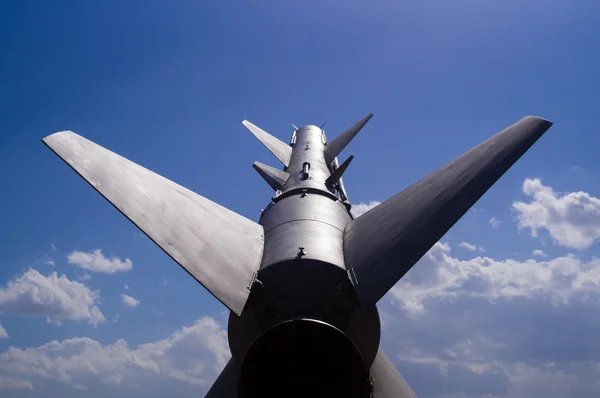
[383, 244]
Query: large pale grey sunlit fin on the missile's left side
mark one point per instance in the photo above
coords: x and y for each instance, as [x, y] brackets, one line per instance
[219, 248]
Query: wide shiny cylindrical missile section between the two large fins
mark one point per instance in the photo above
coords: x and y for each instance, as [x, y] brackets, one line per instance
[303, 255]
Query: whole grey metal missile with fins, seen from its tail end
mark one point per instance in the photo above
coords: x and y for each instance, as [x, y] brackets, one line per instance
[303, 282]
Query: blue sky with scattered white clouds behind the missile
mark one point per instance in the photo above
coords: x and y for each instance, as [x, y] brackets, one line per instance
[167, 86]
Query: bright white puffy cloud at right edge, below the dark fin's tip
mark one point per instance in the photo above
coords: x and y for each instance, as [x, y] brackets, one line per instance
[572, 219]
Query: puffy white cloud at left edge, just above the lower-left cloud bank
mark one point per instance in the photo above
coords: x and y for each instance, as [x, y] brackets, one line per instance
[57, 298]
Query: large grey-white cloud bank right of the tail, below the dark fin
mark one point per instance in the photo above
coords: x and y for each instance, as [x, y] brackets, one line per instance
[475, 327]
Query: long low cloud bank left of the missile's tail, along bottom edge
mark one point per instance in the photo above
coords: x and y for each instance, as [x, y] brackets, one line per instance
[193, 356]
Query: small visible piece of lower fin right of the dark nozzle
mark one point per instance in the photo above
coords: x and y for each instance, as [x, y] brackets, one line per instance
[387, 381]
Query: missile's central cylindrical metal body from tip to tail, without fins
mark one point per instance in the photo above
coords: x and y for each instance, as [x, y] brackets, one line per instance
[302, 277]
